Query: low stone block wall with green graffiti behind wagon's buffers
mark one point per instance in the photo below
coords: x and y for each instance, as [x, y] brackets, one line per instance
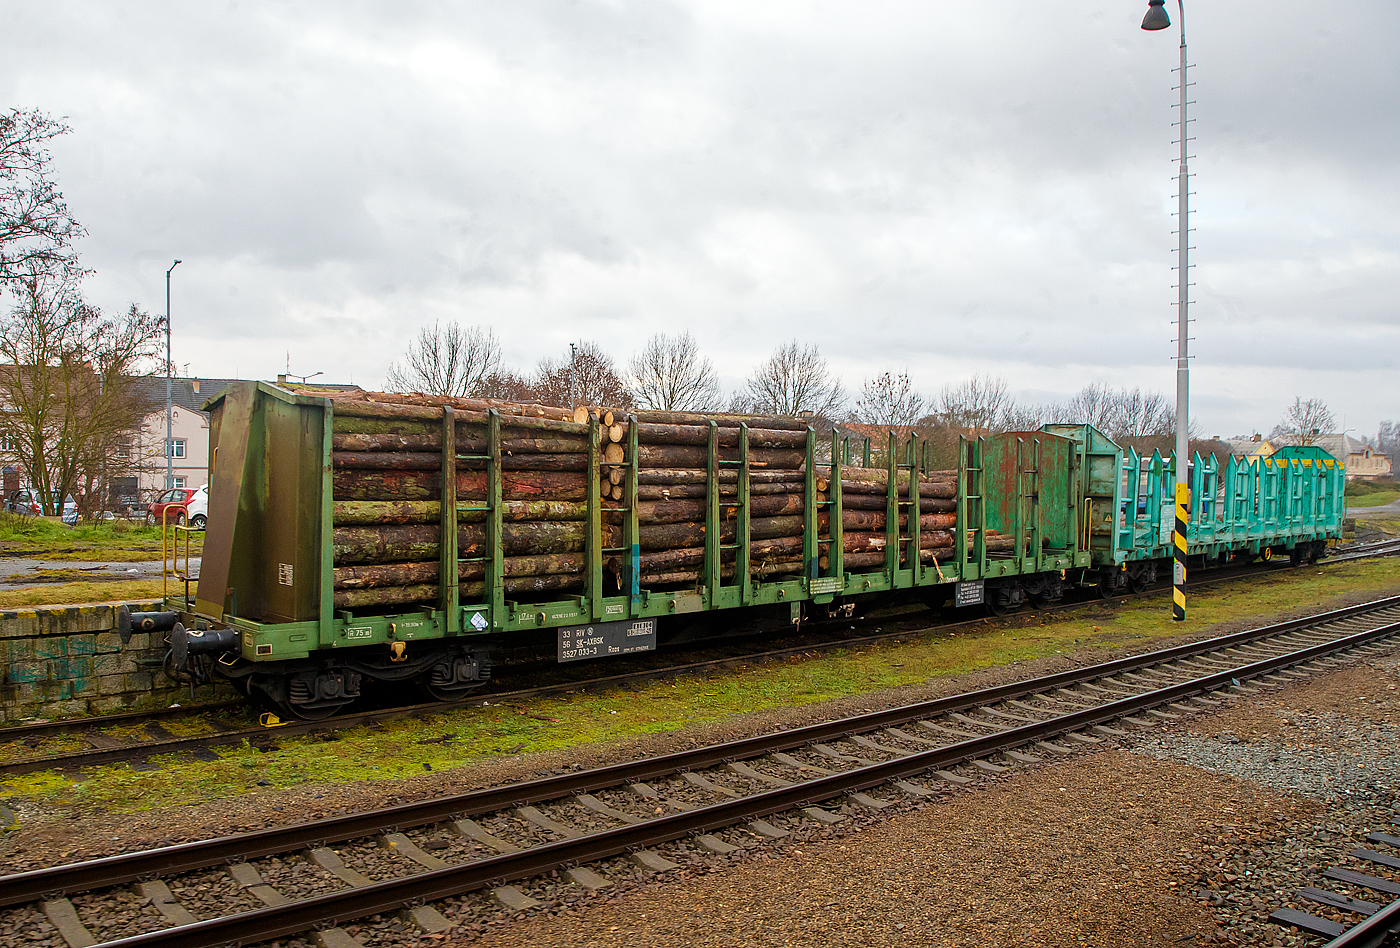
[61, 662]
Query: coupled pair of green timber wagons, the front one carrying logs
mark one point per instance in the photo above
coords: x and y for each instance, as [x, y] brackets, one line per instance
[404, 538]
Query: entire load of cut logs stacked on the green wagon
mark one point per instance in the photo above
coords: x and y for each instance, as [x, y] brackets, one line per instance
[387, 456]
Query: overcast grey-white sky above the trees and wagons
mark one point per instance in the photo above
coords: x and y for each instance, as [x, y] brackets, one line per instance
[936, 188]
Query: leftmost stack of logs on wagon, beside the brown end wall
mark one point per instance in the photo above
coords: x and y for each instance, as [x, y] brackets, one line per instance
[387, 460]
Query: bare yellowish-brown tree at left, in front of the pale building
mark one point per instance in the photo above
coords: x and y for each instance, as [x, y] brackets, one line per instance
[66, 383]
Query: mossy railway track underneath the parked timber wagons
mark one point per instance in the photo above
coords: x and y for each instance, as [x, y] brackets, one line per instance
[138, 737]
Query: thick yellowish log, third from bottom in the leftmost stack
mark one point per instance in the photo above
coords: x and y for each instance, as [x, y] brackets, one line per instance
[421, 541]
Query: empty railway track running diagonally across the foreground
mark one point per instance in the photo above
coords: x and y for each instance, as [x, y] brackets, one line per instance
[656, 813]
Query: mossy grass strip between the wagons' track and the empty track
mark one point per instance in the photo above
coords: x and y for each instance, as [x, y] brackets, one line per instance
[471, 736]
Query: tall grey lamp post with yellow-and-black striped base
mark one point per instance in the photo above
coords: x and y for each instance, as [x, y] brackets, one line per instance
[1157, 19]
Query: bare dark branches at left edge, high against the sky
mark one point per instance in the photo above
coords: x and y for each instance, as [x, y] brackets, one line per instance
[36, 229]
